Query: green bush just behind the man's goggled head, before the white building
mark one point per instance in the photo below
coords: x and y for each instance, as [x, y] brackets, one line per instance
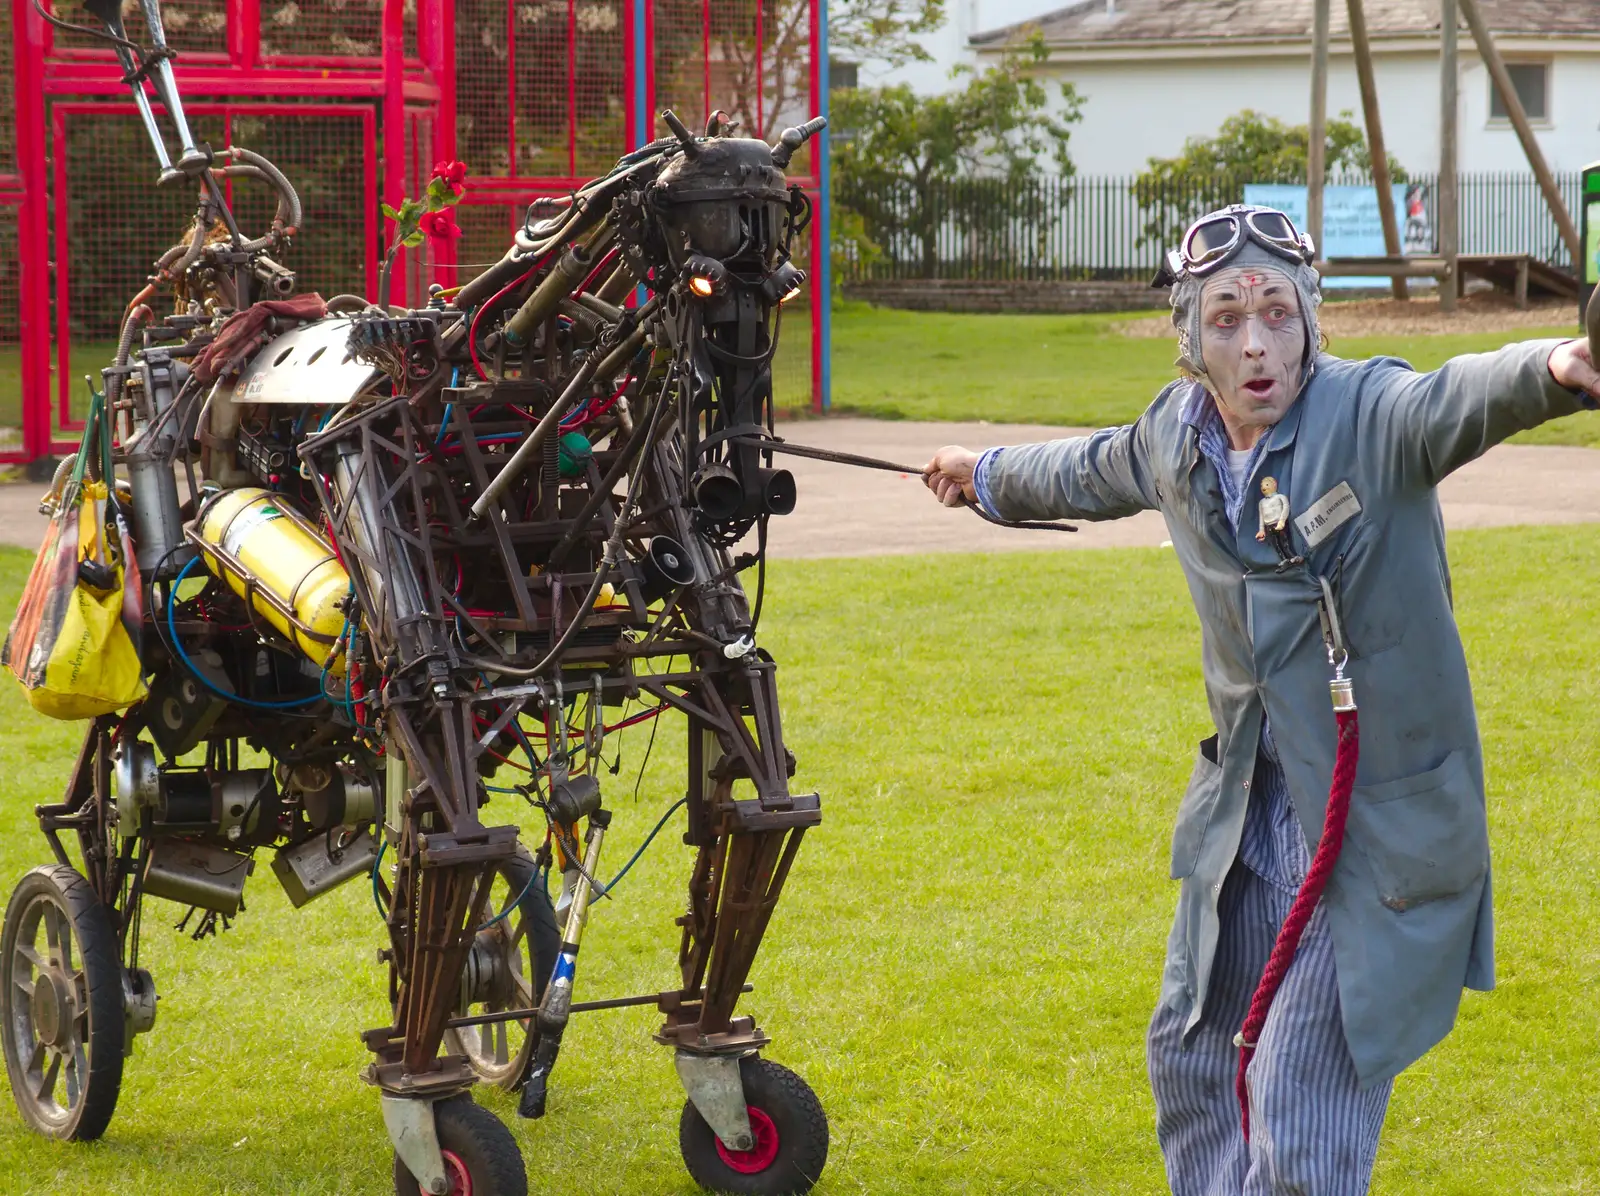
[1249, 148]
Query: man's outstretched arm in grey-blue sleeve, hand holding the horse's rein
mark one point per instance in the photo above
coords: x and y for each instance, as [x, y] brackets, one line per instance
[1098, 477]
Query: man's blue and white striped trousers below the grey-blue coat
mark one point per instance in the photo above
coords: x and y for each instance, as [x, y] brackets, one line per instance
[1313, 1128]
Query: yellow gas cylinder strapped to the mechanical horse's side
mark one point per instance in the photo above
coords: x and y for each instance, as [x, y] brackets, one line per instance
[281, 565]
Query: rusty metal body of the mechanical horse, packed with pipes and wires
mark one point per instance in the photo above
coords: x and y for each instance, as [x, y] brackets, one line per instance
[460, 492]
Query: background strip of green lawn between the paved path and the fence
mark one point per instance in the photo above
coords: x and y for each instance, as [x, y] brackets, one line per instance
[1071, 370]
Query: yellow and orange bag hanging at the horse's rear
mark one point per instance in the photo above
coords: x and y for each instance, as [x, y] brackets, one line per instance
[74, 644]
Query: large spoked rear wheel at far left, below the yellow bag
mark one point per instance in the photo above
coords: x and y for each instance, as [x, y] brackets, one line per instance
[62, 1005]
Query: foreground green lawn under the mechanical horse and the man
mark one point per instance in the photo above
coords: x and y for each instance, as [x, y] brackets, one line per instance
[972, 941]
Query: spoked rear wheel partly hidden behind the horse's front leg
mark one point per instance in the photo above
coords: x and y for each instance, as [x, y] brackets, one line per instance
[510, 967]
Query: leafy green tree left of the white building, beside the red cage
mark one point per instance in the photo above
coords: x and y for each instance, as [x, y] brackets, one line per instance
[911, 165]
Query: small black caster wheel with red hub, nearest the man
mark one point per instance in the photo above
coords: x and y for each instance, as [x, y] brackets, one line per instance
[791, 1138]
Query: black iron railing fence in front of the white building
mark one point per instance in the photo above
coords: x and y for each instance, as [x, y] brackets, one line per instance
[1118, 228]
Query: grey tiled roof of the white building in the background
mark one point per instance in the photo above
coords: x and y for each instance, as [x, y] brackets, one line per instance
[1177, 22]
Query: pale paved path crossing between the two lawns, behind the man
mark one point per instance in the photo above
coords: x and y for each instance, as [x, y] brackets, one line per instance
[854, 512]
